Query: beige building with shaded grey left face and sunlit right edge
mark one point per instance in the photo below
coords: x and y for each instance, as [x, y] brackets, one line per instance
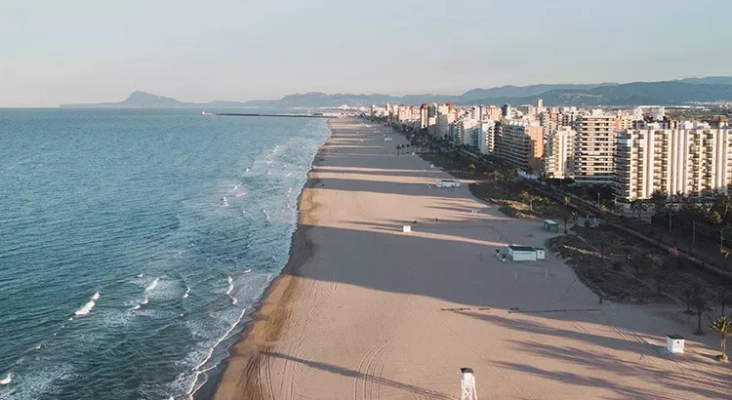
[521, 145]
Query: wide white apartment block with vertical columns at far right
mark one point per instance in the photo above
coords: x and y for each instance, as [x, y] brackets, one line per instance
[692, 159]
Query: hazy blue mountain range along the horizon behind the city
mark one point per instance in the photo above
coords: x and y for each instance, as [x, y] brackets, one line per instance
[681, 91]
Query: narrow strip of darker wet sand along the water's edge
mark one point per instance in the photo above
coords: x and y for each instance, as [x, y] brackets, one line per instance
[273, 308]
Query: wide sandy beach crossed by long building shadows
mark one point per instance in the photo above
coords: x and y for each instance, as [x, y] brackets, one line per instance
[365, 311]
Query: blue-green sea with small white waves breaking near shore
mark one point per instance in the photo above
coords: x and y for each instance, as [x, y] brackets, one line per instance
[134, 244]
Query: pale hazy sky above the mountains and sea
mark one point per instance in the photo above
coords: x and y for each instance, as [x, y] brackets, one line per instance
[86, 51]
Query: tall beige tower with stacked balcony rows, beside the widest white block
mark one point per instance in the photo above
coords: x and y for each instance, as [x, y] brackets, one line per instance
[594, 148]
